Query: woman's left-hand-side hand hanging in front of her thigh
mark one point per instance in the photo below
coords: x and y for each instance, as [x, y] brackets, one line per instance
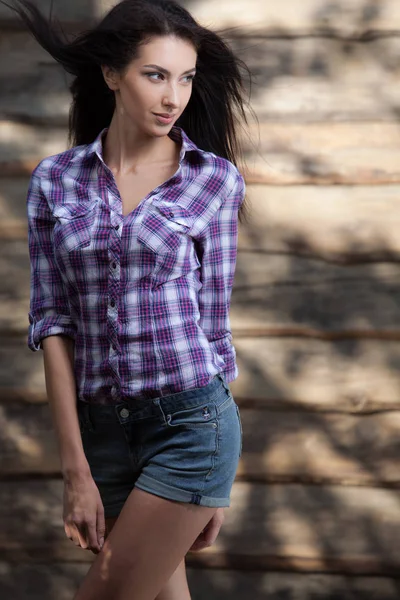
[83, 514]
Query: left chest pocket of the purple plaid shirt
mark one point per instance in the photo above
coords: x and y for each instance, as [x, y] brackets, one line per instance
[73, 229]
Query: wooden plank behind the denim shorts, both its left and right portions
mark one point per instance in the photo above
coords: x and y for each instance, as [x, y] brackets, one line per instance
[278, 446]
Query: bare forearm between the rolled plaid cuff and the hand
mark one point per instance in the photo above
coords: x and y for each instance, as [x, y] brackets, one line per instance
[58, 353]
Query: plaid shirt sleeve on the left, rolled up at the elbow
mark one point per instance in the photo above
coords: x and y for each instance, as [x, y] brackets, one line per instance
[49, 312]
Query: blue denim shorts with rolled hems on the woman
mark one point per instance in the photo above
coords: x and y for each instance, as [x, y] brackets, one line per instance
[184, 446]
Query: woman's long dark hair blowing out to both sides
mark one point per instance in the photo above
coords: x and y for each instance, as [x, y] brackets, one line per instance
[216, 108]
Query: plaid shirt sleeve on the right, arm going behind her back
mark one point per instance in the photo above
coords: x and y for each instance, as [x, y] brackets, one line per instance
[217, 253]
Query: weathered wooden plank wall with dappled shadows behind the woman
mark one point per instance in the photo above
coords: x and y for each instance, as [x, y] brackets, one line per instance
[315, 311]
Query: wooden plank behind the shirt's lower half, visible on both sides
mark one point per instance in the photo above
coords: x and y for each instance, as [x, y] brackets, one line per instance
[274, 295]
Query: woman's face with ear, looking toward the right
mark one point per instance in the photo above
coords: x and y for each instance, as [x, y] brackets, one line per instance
[157, 82]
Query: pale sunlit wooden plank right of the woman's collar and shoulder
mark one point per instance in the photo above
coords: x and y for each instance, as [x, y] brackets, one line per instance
[337, 153]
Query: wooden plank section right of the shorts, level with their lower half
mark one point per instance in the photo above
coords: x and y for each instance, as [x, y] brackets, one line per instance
[293, 446]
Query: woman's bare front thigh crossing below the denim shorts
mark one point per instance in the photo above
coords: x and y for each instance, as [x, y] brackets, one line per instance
[146, 545]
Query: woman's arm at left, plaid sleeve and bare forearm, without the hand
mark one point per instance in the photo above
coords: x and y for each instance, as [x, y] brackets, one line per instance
[51, 329]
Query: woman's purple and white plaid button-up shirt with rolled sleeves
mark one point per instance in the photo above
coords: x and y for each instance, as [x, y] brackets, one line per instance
[145, 296]
